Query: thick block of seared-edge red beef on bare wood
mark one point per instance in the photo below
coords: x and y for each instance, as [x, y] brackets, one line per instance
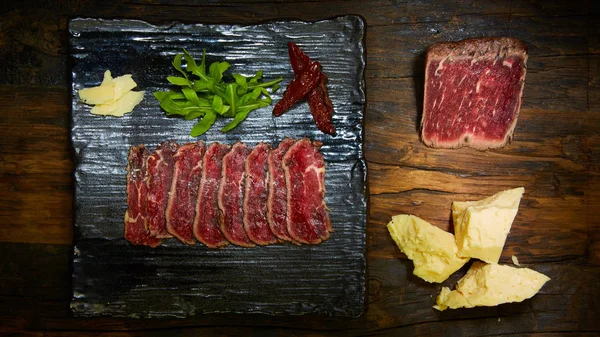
[473, 92]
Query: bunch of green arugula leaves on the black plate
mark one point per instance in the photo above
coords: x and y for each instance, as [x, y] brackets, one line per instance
[205, 95]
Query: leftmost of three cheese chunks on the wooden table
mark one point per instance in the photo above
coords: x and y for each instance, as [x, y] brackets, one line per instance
[432, 250]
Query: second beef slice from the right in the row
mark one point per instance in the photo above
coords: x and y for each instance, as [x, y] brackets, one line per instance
[277, 200]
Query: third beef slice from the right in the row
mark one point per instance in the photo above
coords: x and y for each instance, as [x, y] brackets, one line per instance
[255, 196]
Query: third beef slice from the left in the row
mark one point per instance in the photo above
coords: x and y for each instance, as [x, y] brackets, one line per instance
[181, 208]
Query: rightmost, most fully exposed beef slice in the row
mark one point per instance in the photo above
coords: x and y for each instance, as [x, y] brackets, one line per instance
[304, 167]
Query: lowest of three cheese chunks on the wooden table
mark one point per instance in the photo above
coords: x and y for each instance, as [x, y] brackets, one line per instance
[490, 285]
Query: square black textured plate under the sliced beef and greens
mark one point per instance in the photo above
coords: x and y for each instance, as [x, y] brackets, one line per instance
[112, 277]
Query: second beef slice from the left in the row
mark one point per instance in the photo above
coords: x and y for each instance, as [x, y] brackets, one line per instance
[160, 175]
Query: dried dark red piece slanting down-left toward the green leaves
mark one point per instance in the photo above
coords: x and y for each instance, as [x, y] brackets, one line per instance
[298, 88]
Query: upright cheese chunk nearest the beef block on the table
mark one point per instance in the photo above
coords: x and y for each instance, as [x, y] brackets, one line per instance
[481, 227]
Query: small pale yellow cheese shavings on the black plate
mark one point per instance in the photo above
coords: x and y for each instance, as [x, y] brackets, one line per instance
[113, 97]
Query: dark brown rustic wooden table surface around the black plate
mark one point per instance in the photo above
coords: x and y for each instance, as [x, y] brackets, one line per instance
[555, 155]
